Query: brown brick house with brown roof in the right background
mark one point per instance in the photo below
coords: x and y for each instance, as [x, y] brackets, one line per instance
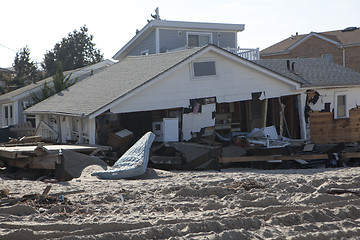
[340, 46]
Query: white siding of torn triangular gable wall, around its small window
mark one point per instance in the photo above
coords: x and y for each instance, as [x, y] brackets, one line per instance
[234, 82]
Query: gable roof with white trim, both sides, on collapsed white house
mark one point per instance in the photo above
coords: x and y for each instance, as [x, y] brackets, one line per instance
[98, 93]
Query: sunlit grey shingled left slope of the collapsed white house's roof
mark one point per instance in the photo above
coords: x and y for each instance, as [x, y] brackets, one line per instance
[98, 91]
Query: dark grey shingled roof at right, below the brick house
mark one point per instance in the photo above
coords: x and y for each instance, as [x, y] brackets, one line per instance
[313, 72]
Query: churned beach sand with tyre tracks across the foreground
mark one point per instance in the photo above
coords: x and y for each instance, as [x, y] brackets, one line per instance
[231, 204]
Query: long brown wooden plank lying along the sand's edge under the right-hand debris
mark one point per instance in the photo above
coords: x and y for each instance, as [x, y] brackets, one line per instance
[273, 157]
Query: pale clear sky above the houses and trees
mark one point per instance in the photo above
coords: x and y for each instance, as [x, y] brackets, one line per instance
[40, 24]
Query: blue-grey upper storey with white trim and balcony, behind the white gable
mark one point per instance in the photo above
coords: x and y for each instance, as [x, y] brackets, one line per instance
[160, 36]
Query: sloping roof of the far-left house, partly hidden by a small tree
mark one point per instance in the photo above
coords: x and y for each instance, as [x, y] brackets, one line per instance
[80, 73]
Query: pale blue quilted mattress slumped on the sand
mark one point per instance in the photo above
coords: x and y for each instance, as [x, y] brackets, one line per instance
[132, 163]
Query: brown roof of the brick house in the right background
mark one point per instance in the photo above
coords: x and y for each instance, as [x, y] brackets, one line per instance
[339, 37]
